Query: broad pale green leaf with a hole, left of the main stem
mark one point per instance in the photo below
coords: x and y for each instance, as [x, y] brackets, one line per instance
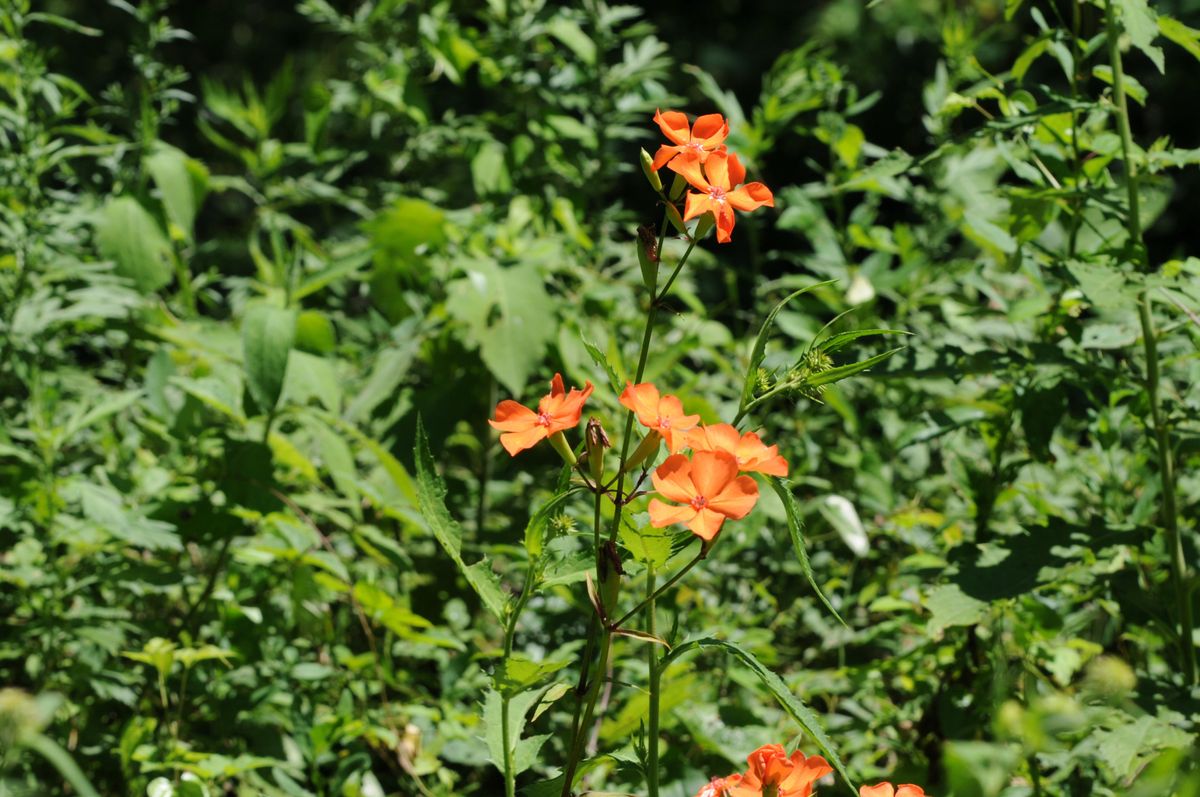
[508, 316]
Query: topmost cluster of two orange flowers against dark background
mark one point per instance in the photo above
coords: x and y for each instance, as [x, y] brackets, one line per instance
[699, 155]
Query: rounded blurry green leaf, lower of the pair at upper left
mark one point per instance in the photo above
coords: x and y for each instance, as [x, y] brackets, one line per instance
[130, 237]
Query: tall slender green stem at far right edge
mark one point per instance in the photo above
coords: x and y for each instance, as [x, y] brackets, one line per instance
[1150, 341]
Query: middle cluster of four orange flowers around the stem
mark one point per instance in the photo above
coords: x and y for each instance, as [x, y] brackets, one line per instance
[705, 490]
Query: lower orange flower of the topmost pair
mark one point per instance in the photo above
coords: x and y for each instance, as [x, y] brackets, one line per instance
[718, 194]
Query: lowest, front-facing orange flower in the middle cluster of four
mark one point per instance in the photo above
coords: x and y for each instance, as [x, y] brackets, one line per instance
[710, 489]
